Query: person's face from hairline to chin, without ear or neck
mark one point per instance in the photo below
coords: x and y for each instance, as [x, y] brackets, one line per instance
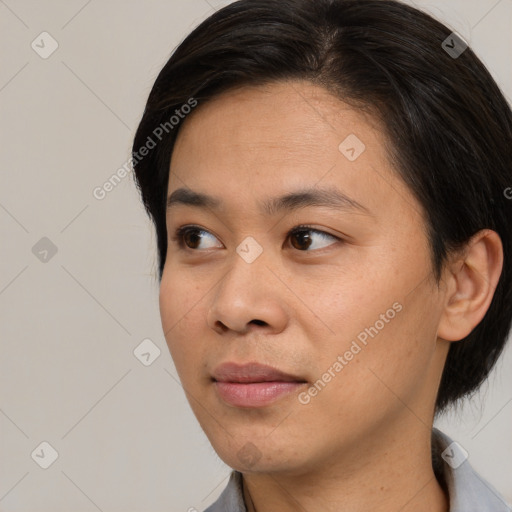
[308, 256]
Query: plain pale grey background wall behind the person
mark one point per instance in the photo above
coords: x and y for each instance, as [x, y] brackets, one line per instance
[78, 291]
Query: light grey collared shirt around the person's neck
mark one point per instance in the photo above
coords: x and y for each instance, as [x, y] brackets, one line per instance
[467, 491]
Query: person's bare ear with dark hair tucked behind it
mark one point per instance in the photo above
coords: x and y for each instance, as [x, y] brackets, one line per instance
[470, 284]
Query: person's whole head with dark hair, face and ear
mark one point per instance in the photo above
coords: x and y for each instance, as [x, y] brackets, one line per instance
[355, 233]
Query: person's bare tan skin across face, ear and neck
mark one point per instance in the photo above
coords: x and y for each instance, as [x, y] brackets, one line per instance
[363, 442]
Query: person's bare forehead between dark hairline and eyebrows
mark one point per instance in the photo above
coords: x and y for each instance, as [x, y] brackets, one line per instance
[256, 142]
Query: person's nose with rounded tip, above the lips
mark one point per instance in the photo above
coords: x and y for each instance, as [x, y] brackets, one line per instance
[248, 297]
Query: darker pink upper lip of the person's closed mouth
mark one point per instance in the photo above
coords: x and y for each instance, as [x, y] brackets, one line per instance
[251, 372]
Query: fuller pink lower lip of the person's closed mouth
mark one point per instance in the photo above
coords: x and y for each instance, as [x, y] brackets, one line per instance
[255, 394]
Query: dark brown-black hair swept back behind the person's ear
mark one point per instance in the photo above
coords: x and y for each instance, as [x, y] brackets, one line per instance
[449, 125]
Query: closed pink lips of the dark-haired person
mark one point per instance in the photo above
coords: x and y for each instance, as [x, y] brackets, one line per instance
[253, 385]
